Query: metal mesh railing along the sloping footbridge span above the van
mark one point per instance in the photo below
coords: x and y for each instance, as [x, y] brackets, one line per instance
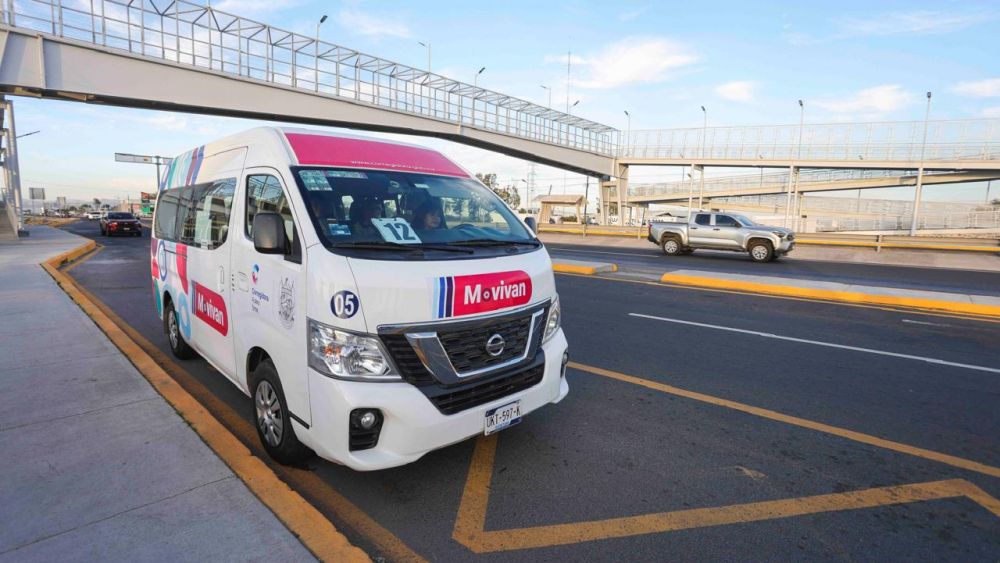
[197, 35]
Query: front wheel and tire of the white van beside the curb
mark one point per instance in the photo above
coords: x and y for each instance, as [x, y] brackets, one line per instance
[272, 419]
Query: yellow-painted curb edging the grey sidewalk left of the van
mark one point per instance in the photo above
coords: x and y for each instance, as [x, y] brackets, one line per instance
[313, 529]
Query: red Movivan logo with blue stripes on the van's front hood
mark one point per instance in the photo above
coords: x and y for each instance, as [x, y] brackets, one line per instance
[466, 295]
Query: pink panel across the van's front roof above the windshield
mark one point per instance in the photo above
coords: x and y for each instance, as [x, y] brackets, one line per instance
[324, 150]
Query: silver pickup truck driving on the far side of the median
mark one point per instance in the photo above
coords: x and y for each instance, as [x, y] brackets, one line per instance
[722, 231]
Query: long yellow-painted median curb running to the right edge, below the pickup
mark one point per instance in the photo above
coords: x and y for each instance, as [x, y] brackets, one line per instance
[833, 295]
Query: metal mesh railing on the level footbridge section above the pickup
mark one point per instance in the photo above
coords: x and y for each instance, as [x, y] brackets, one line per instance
[972, 139]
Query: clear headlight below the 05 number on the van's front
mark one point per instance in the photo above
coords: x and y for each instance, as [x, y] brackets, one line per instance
[346, 355]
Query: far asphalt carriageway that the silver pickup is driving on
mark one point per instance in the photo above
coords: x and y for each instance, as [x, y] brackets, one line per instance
[652, 260]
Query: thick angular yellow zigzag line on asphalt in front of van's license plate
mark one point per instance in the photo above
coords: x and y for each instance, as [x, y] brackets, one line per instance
[470, 526]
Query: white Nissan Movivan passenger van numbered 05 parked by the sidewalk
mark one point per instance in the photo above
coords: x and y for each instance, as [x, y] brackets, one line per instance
[374, 300]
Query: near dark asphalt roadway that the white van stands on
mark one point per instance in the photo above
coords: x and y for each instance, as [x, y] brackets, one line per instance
[618, 449]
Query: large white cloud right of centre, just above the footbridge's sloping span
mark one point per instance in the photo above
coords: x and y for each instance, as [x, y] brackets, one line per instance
[633, 60]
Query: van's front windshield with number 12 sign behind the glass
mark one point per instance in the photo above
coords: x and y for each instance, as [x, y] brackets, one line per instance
[378, 209]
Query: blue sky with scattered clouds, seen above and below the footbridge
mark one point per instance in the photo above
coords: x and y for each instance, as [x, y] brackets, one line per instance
[748, 63]
